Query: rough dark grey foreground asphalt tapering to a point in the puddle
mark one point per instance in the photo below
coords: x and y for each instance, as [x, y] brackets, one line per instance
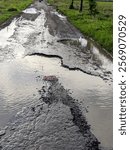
[55, 123]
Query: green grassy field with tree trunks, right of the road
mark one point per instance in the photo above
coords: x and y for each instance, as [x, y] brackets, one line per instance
[99, 27]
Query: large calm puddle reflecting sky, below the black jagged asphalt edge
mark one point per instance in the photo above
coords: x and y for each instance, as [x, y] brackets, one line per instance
[22, 78]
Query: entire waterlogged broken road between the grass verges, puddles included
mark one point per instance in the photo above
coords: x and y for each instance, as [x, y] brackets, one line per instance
[55, 86]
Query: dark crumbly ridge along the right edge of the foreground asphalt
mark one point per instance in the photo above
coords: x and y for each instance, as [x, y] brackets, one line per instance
[56, 93]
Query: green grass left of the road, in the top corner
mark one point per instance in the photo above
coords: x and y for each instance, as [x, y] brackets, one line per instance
[10, 8]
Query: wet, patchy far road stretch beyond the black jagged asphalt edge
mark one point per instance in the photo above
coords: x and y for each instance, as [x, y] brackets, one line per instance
[49, 33]
